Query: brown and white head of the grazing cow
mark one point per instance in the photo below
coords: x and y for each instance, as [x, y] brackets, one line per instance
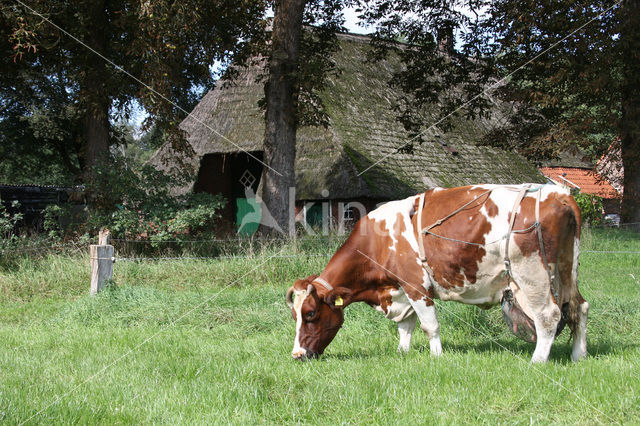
[318, 313]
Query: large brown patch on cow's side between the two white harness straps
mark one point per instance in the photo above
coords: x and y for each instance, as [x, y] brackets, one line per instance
[454, 262]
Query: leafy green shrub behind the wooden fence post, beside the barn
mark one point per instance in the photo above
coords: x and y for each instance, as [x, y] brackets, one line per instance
[139, 205]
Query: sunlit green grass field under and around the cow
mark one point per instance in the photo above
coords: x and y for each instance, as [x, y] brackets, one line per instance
[208, 342]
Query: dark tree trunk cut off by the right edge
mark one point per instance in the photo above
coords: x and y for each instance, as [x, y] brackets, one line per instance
[630, 122]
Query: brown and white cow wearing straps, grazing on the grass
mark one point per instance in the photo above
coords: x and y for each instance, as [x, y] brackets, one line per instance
[481, 245]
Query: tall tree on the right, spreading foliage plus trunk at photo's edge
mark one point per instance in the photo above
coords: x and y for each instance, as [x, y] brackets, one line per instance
[571, 72]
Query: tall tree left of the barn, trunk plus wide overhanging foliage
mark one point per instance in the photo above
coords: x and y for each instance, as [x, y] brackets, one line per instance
[166, 48]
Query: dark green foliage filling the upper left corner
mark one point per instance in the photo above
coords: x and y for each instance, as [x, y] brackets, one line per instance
[165, 48]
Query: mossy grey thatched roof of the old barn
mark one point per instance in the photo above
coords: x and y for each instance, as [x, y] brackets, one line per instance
[363, 130]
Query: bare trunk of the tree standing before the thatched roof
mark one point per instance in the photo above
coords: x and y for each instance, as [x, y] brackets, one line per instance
[281, 92]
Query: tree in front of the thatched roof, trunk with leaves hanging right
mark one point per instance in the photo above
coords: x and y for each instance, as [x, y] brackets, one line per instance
[299, 60]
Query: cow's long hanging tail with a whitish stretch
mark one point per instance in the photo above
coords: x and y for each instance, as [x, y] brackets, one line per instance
[575, 298]
